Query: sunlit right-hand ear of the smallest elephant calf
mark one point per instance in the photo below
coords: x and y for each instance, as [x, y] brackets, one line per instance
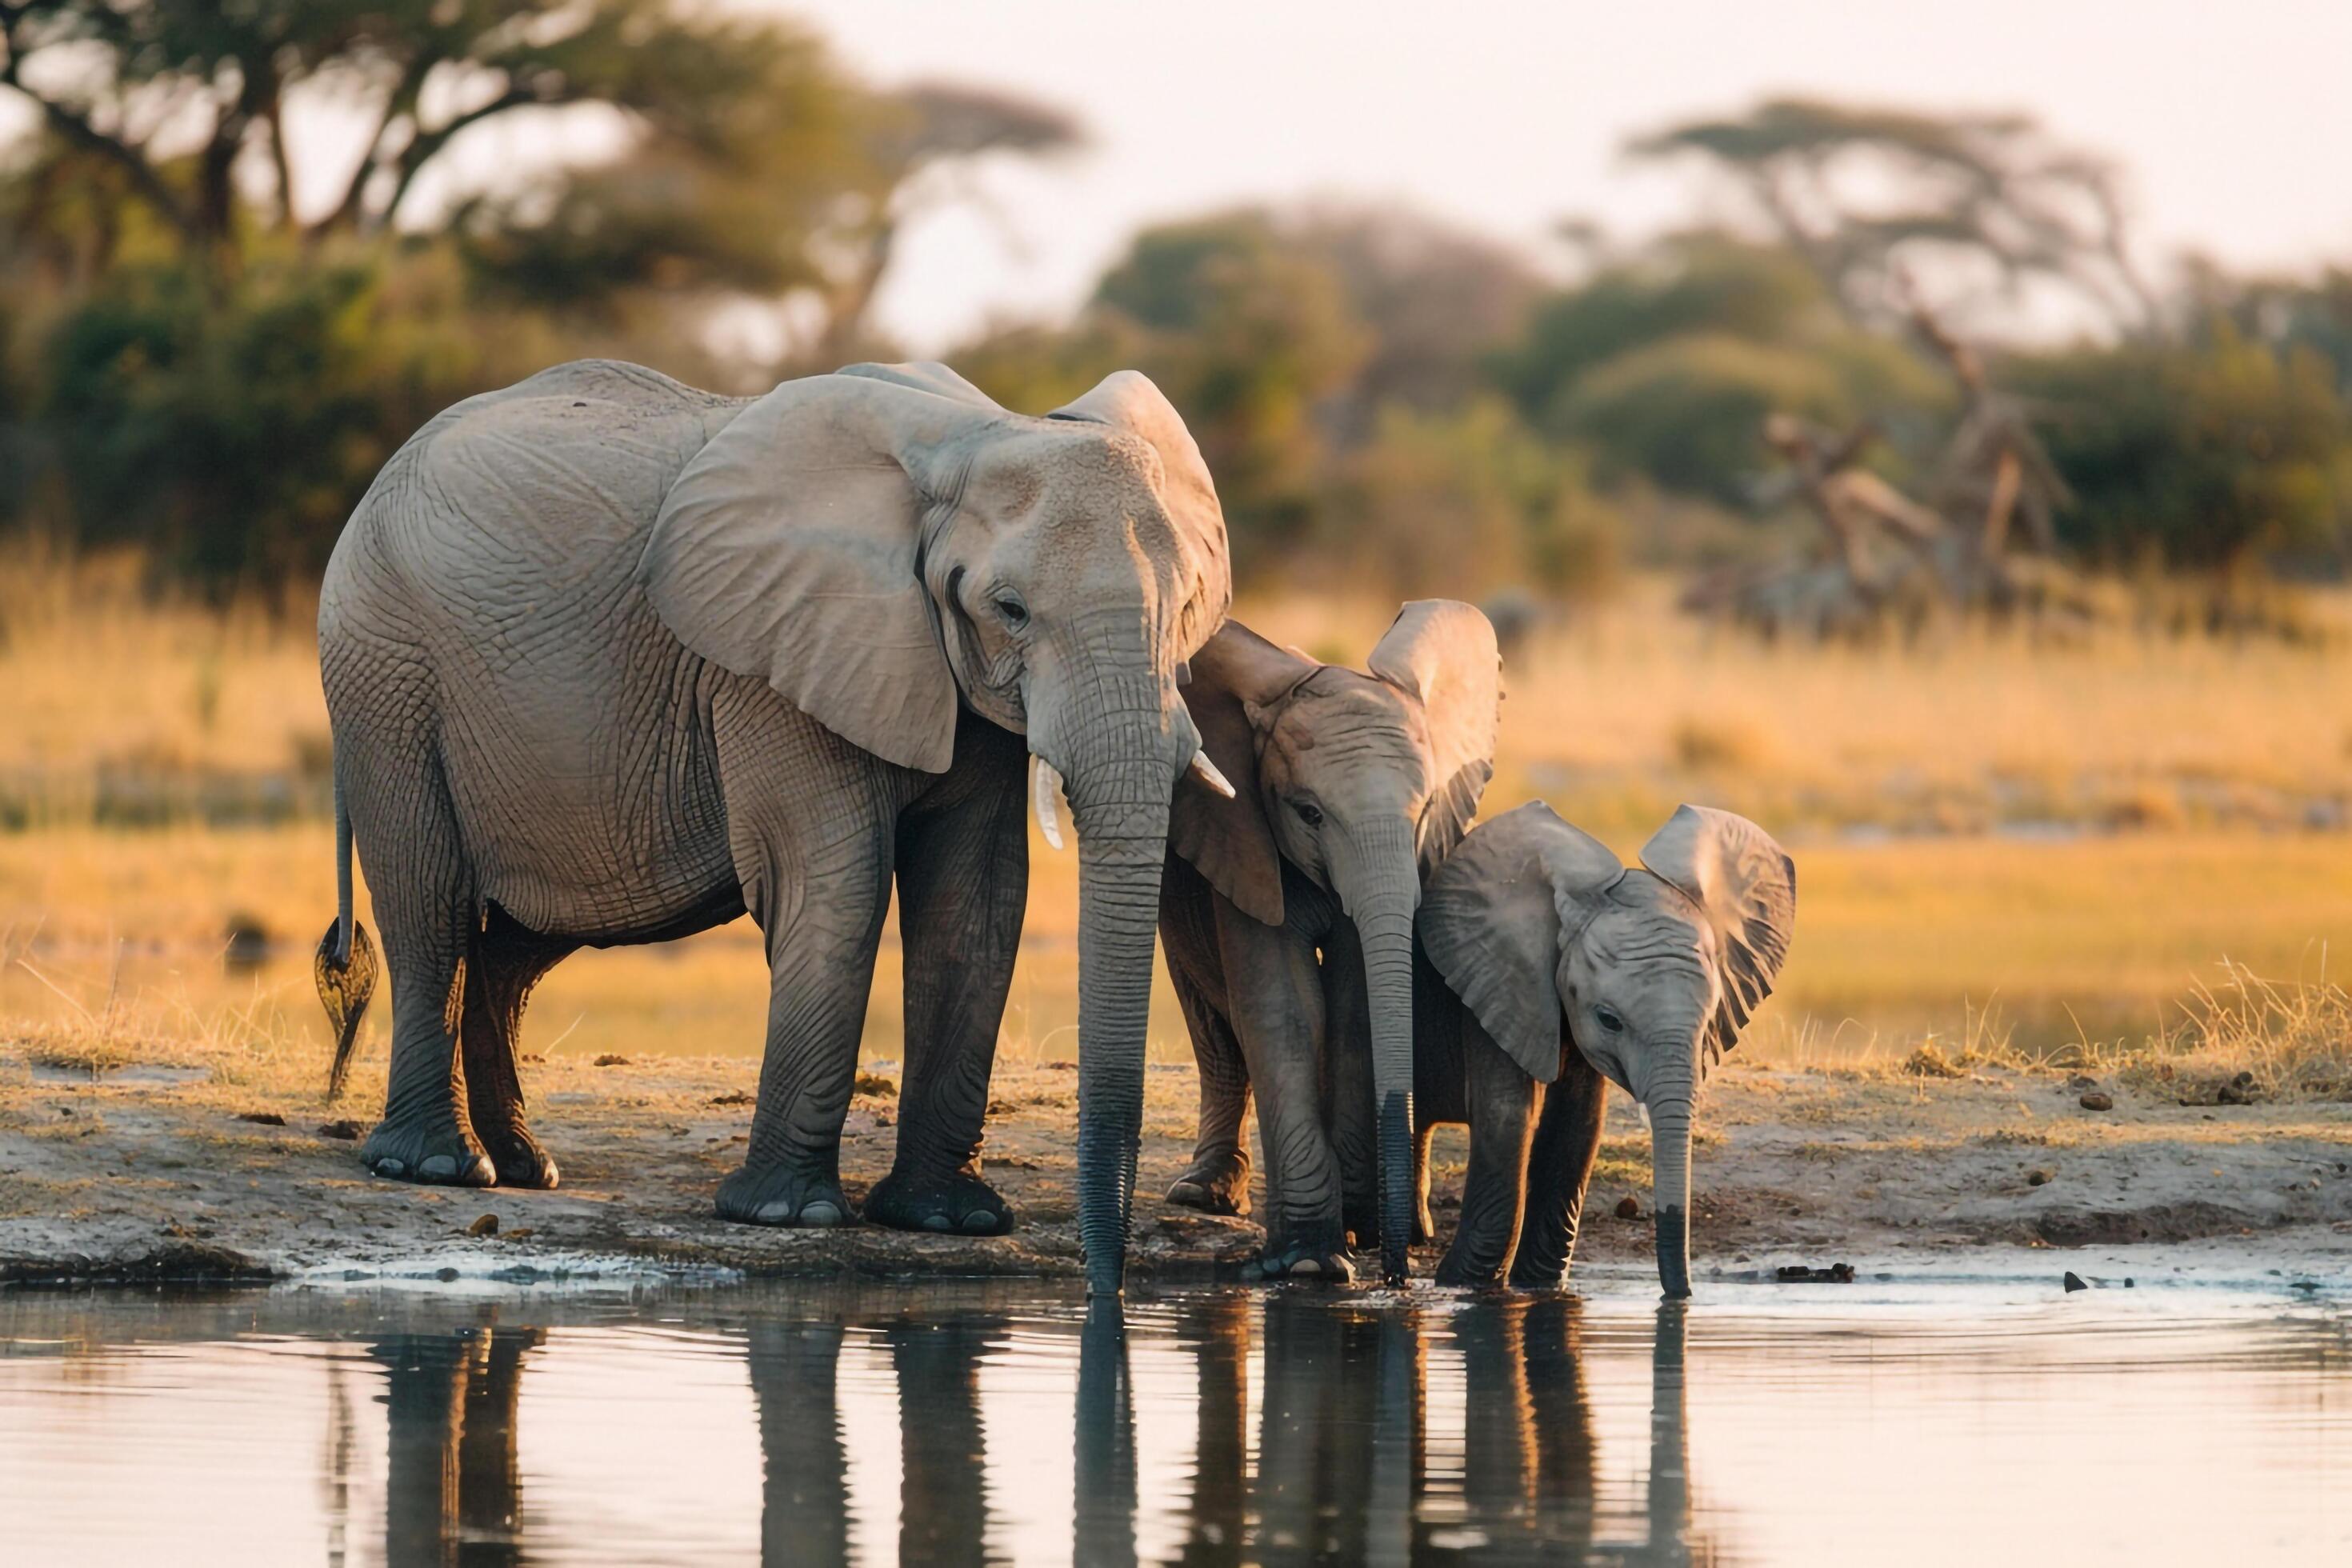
[1746, 885]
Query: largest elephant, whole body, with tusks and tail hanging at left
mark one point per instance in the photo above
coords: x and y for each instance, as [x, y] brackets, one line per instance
[613, 662]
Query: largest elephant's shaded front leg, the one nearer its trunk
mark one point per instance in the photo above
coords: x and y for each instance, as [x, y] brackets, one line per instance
[963, 887]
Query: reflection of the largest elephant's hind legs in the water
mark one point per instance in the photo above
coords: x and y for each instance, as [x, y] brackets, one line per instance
[453, 1492]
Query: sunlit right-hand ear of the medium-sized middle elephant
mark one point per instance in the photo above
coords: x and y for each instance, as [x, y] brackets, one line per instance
[1445, 655]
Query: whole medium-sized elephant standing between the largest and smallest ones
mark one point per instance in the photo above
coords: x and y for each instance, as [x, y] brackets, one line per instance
[1349, 791]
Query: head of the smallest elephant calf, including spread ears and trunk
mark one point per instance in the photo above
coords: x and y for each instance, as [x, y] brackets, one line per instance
[1650, 974]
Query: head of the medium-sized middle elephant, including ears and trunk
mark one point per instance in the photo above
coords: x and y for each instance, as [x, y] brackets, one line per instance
[1361, 782]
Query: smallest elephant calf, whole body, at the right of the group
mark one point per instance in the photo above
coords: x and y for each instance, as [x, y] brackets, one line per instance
[1556, 972]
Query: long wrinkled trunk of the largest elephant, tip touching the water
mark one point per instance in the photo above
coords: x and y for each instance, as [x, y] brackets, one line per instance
[1123, 826]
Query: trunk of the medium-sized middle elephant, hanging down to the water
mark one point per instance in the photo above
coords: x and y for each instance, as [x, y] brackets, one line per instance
[1379, 885]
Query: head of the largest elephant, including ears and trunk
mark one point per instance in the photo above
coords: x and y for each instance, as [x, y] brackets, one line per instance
[888, 544]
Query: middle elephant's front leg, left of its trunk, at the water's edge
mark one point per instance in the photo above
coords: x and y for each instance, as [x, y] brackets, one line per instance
[1278, 1014]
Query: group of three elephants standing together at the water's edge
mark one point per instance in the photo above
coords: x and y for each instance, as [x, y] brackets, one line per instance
[610, 662]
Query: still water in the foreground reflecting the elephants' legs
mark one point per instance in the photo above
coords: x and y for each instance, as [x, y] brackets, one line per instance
[973, 1426]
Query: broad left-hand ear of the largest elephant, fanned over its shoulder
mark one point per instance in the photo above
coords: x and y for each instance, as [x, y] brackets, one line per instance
[789, 551]
